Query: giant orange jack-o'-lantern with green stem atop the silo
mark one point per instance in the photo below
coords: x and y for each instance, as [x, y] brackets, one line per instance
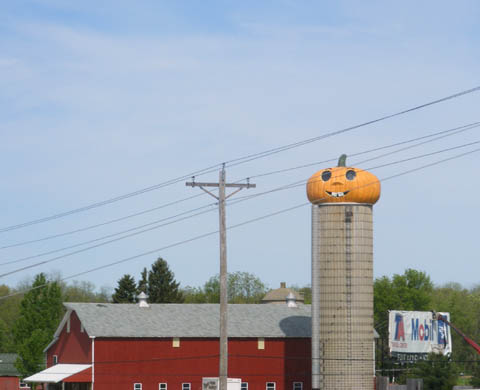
[343, 184]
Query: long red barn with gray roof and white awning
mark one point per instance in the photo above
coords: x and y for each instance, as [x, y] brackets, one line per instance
[174, 346]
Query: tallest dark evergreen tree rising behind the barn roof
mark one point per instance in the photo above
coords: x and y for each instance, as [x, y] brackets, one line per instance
[162, 286]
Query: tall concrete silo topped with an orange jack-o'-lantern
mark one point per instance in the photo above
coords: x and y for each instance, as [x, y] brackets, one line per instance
[342, 277]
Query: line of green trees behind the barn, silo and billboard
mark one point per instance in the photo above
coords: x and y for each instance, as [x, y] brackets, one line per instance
[28, 321]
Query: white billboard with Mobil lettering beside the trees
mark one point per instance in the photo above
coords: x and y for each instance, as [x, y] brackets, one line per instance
[412, 335]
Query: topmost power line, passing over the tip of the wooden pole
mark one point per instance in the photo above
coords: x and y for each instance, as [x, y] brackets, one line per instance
[234, 162]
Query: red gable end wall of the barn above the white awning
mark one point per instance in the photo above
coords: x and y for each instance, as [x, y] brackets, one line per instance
[72, 347]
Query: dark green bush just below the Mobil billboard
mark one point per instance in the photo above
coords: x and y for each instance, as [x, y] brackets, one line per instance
[437, 372]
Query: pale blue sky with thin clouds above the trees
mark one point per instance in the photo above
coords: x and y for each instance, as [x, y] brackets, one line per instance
[100, 99]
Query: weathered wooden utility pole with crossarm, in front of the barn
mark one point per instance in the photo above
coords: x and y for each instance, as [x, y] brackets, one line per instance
[223, 369]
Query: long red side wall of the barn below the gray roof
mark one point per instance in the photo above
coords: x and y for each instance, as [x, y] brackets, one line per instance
[119, 363]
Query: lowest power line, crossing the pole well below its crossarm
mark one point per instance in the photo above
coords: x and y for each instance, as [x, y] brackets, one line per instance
[204, 235]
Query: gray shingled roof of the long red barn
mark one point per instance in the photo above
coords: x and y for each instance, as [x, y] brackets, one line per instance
[192, 320]
